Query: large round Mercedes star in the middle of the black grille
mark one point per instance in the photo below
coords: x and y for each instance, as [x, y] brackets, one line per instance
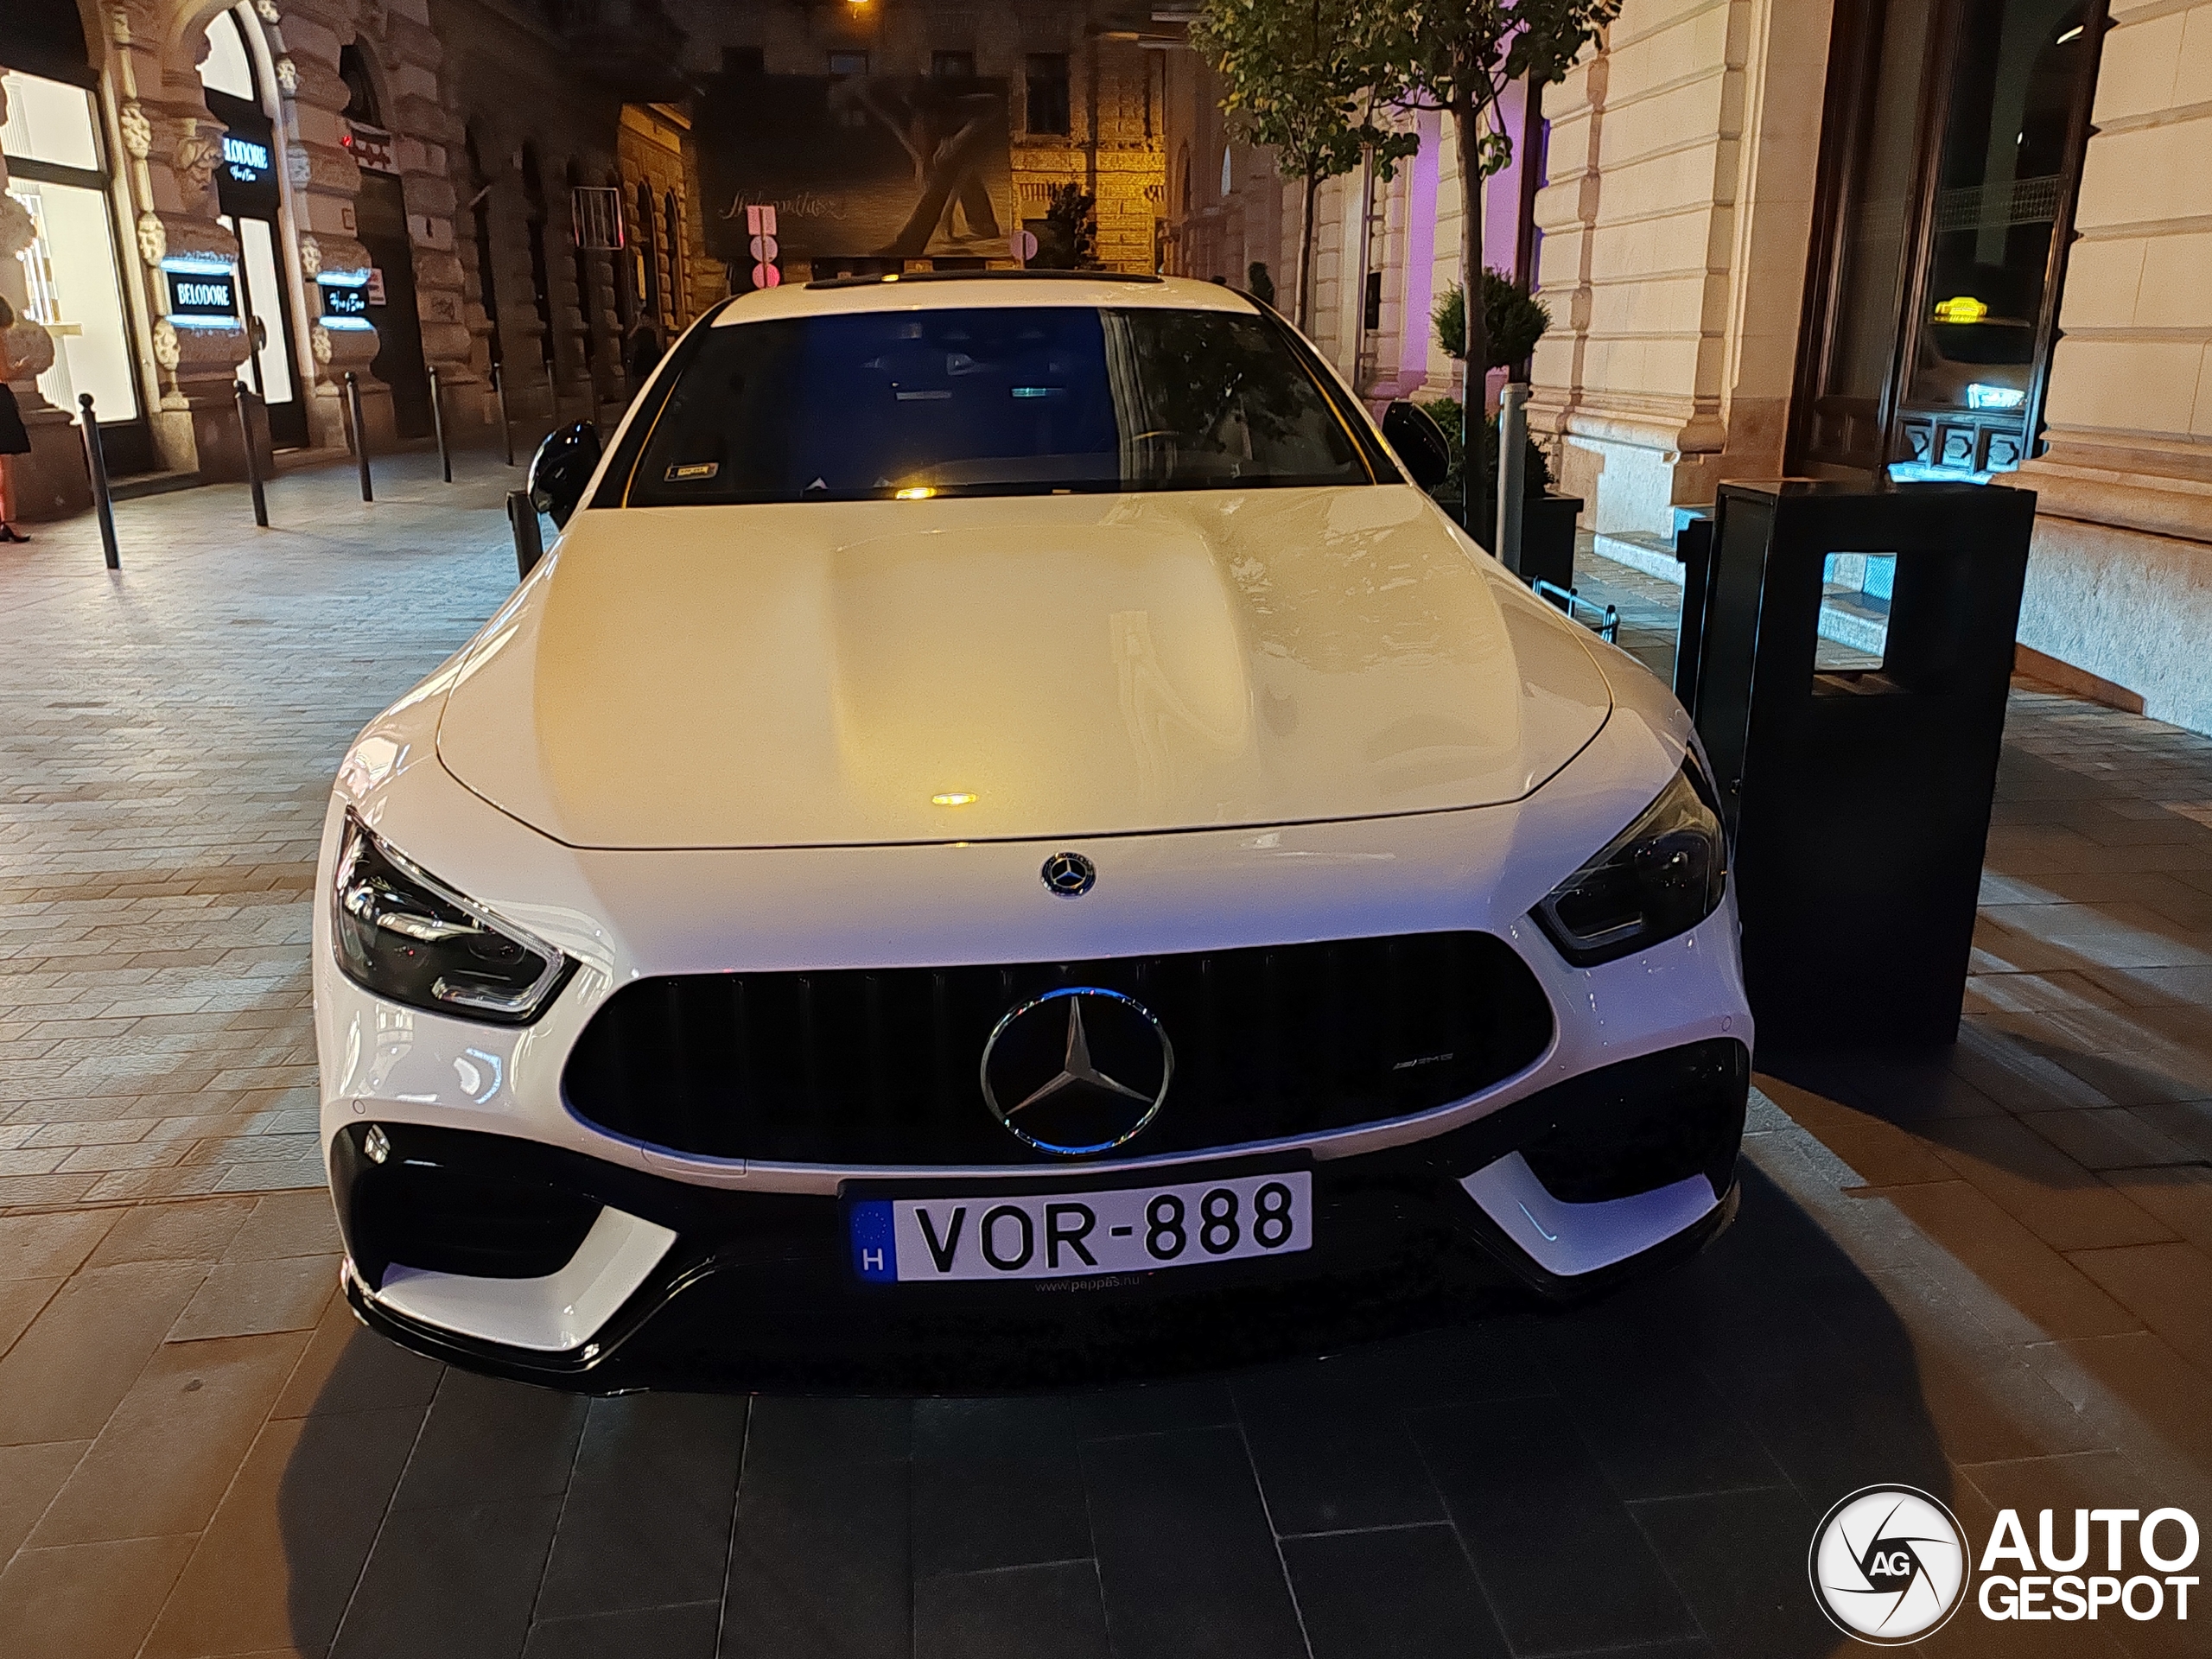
[1076, 1072]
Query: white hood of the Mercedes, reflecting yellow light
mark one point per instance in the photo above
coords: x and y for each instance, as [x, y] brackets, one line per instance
[1014, 669]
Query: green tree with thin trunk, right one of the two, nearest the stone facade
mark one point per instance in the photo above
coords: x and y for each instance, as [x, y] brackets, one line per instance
[1459, 56]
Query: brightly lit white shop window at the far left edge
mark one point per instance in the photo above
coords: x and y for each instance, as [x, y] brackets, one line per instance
[72, 269]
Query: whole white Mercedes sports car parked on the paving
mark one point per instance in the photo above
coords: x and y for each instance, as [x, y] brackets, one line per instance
[1010, 817]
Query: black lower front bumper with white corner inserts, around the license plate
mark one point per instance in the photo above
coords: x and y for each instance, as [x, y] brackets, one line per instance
[499, 1253]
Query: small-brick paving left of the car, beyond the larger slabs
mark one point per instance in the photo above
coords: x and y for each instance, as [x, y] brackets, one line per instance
[167, 747]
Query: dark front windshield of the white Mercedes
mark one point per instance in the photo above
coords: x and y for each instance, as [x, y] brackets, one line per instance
[992, 401]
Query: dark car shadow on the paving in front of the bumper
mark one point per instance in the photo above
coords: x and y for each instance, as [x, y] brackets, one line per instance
[1636, 1474]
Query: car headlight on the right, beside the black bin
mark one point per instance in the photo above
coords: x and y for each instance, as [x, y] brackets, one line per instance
[1660, 877]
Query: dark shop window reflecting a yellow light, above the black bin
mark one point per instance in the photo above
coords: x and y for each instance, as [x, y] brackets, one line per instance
[1950, 154]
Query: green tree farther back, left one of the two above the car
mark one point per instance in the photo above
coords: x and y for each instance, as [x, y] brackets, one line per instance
[1295, 76]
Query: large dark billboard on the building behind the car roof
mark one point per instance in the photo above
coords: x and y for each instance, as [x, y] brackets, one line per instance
[857, 167]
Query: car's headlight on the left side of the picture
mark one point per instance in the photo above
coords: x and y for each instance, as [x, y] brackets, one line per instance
[410, 939]
